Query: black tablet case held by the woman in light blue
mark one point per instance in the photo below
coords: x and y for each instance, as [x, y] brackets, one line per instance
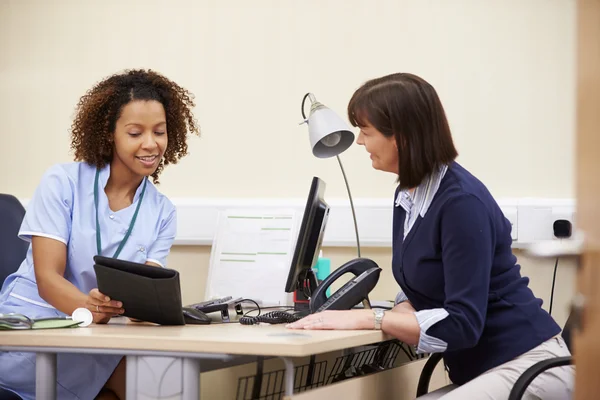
[148, 293]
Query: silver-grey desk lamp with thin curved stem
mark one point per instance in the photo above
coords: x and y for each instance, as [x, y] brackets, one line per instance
[329, 136]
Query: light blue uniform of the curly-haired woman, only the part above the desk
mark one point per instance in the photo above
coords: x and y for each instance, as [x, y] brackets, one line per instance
[62, 208]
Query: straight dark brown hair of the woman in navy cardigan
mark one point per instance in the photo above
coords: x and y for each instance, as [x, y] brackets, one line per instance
[407, 107]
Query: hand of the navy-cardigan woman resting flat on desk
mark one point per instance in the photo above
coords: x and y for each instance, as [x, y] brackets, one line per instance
[340, 320]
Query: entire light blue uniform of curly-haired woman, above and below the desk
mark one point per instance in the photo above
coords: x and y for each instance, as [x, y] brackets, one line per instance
[62, 208]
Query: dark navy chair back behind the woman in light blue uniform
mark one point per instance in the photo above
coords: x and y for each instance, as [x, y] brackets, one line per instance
[12, 249]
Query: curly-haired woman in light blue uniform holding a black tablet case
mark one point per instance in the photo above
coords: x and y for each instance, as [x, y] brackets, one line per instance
[127, 128]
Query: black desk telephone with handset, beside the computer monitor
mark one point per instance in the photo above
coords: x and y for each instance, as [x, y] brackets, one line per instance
[366, 273]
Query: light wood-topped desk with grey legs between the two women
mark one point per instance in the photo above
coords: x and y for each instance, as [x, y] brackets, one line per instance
[181, 347]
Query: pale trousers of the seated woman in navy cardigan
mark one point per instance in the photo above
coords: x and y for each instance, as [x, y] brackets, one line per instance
[496, 384]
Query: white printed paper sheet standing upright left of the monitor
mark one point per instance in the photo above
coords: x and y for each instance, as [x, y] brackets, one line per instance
[251, 255]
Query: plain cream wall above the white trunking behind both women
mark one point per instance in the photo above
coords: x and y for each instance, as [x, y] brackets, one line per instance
[504, 71]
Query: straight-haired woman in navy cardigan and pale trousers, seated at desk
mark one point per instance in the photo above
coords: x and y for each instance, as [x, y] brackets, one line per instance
[461, 290]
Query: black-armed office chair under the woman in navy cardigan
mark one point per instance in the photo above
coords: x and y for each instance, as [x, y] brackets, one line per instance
[524, 380]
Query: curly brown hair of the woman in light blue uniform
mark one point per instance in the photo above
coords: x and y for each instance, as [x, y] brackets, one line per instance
[99, 109]
